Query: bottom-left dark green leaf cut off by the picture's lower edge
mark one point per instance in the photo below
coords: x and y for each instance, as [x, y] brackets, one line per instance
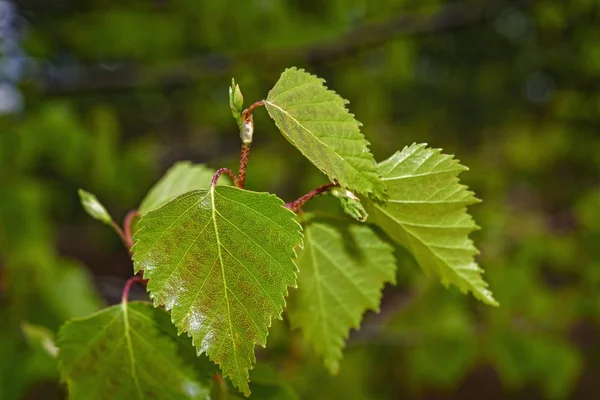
[127, 351]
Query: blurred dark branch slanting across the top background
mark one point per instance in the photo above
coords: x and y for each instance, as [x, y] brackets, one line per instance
[125, 76]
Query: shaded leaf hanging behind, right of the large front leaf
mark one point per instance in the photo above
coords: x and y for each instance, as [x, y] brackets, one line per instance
[343, 269]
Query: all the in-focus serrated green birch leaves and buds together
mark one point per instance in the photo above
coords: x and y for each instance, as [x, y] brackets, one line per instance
[220, 259]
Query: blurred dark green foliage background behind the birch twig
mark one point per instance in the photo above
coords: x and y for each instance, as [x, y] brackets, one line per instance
[106, 95]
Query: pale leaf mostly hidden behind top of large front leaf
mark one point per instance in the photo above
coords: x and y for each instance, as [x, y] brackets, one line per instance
[182, 177]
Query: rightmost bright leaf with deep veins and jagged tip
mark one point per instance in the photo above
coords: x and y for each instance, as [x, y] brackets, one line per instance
[426, 213]
